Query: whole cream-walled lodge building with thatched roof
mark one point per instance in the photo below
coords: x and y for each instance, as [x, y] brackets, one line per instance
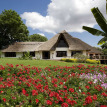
[62, 45]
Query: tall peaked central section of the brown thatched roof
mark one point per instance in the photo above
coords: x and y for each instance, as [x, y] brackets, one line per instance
[73, 43]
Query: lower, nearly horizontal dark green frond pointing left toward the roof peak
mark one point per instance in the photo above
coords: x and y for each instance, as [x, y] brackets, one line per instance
[94, 31]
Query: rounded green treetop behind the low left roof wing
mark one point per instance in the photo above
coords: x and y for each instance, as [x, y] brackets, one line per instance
[37, 37]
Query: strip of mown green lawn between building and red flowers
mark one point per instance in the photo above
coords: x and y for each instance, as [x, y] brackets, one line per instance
[37, 63]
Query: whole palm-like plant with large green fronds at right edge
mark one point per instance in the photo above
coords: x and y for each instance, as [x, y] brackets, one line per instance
[102, 22]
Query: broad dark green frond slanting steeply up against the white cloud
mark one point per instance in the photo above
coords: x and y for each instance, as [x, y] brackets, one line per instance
[100, 19]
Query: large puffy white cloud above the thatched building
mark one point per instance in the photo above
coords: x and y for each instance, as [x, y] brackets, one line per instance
[68, 15]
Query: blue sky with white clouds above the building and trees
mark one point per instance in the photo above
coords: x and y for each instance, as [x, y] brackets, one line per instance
[48, 17]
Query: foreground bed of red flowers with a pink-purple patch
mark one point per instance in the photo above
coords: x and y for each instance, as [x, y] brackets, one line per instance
[75, 86]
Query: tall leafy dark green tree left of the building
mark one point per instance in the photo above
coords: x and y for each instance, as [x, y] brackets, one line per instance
[12, 28]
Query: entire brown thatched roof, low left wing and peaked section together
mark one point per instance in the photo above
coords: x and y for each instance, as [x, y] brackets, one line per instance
[72, 42]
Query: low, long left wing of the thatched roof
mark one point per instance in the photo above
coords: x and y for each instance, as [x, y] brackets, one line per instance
[22, 47]
